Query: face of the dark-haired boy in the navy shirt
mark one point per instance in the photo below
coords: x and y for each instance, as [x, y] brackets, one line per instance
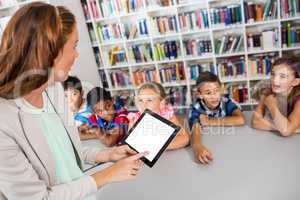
[210, 92]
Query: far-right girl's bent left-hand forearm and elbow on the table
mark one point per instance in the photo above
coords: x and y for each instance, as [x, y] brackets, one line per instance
[258, 121]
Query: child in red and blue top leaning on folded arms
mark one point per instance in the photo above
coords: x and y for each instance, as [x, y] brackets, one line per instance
[108, 121]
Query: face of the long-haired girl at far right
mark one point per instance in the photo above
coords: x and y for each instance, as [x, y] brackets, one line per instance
[283, 79]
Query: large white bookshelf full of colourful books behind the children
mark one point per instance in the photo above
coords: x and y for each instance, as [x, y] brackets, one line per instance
[171, 41]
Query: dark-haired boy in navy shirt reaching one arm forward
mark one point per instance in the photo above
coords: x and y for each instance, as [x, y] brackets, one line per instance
[211, 109]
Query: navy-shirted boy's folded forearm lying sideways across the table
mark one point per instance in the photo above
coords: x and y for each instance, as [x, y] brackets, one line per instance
[237, 119]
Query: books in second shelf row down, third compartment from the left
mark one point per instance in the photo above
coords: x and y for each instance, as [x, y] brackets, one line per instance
[165, 24]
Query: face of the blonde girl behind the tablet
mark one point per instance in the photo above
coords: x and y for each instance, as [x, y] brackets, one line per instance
[148, 99]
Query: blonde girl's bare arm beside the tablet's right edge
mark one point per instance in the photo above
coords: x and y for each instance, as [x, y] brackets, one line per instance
[182, 138]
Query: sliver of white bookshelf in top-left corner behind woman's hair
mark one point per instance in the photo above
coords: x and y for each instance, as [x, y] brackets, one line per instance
[8, 8]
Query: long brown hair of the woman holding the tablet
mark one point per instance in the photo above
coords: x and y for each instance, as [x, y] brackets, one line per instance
[30, 43]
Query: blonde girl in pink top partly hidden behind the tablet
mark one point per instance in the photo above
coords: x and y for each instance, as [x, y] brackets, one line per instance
[152, 96]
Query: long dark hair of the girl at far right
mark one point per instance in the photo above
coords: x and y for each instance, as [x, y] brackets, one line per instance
[294, 63]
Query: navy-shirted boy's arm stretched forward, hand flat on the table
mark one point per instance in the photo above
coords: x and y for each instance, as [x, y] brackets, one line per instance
[202, 154]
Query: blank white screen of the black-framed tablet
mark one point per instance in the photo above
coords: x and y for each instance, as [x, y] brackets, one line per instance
[150, 134]
